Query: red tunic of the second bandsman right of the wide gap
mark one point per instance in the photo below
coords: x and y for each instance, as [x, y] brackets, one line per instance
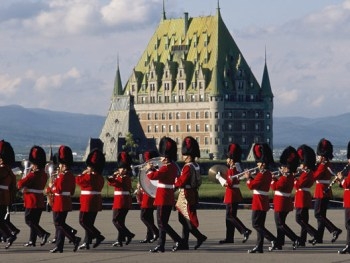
[260, 186]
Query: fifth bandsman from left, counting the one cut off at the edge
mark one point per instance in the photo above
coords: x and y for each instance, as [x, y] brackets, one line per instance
[121, 180]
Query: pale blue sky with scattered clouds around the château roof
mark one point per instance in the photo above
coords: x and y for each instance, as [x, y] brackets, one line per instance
[62, 54]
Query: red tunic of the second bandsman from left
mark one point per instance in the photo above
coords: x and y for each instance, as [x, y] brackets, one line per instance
[33, 184]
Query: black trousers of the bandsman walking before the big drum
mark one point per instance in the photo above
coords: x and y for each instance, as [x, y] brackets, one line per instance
[163, 215]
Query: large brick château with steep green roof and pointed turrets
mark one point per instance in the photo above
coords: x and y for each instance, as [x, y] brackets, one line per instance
[192, 79]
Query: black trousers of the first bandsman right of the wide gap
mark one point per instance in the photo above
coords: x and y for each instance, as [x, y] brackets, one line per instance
[233, 222]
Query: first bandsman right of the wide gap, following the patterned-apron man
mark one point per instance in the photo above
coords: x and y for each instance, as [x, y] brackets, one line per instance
[233, 196]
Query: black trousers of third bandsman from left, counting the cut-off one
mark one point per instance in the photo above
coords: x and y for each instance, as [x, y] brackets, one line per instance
[62, 229]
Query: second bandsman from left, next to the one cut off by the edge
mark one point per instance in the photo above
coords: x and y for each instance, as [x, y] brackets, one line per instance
[33, 185]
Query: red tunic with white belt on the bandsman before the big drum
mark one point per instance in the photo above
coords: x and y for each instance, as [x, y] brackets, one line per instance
[166, 177]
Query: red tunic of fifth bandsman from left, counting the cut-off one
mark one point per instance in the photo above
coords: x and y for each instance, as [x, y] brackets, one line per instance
[122, 188]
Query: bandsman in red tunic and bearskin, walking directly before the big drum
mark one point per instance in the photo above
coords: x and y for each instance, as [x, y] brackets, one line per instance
[164, 200]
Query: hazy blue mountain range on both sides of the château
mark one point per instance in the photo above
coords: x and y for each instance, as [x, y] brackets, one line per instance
[25, 127]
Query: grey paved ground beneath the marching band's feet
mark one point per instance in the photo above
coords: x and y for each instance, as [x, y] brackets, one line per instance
[212, 224]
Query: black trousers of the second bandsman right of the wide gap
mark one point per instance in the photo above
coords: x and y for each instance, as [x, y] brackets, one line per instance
[258, 221]
